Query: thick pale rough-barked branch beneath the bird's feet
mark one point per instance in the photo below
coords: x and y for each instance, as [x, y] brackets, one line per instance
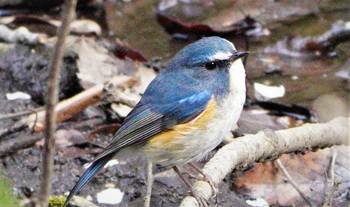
[267, 145]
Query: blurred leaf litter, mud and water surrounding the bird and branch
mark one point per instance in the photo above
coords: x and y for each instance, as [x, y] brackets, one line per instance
[298, 71]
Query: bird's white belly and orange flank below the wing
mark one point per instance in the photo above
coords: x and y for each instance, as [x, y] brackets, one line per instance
[190, 141]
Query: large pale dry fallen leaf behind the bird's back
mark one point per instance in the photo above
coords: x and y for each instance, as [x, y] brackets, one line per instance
[97, 65]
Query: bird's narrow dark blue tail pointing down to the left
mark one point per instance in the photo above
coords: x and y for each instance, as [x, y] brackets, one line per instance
[94, 168]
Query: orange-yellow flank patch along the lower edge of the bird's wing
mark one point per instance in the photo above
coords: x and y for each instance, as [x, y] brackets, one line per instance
[200, 122]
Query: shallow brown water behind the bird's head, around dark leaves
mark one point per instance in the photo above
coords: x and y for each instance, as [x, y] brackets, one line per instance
[304, 79]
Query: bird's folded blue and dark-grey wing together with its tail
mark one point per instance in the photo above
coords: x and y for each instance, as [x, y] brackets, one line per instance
[145, 121]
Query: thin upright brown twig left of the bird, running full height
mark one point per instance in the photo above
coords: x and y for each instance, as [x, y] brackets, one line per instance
[52, 99]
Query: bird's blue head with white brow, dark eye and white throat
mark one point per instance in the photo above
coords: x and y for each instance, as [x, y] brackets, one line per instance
[214, 63]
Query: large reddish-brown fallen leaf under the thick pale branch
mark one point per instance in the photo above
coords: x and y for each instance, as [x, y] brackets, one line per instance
[266, 181]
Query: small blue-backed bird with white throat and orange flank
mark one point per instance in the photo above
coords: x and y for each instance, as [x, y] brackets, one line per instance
[185, 112]
